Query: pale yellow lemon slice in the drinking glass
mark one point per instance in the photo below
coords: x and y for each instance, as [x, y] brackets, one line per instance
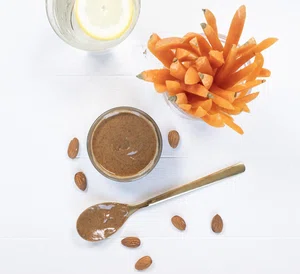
[104, 19]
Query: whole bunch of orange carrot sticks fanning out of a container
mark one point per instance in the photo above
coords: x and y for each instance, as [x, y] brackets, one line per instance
[205, 78]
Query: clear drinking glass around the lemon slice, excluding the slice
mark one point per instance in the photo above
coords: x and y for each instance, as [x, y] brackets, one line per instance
[62, 19]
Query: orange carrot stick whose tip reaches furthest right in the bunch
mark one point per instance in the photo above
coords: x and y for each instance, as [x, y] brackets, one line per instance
[245, 57]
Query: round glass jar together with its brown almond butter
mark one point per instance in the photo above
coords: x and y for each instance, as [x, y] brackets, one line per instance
[124, 144]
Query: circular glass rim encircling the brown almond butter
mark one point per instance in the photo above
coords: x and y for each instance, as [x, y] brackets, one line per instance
[152, 164]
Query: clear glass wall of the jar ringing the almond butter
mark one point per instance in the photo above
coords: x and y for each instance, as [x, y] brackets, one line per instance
[114, 112]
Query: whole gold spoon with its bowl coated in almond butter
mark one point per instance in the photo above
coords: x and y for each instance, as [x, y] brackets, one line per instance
[100, 221]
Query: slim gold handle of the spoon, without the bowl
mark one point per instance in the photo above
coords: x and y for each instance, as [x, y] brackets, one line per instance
[216, 176]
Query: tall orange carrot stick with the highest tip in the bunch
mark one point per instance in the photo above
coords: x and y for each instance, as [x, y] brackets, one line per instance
[235, 30]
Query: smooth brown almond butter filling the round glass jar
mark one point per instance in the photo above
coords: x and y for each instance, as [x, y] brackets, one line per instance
[124, 144]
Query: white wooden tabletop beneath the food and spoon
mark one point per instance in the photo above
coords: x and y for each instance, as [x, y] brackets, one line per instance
[51, 92]
